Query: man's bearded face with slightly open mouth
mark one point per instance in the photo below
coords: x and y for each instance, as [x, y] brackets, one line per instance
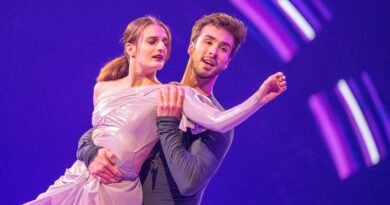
[210, 53]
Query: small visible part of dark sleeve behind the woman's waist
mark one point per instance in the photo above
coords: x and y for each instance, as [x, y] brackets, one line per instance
[87, 150]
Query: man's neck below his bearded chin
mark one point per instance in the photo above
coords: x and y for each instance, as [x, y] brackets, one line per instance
[203, 86]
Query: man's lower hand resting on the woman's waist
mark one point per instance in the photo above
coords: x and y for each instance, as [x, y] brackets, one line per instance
[103, 169]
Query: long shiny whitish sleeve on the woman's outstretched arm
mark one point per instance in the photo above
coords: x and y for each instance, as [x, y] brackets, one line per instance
[211, 118]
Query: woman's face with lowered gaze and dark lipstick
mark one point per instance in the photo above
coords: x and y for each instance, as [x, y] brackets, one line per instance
[151, 51]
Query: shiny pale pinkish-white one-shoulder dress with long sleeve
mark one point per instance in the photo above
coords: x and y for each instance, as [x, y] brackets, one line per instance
[125, 123]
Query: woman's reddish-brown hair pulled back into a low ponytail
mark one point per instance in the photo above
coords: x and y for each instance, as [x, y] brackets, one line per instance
[119, 67]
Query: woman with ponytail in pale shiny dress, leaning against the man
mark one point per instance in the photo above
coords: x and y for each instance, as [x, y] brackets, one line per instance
[124, 117]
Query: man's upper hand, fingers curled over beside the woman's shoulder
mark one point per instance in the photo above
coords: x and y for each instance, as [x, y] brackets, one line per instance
[170, 101]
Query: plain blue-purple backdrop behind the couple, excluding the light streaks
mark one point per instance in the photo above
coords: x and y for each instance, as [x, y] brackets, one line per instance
[51, 52]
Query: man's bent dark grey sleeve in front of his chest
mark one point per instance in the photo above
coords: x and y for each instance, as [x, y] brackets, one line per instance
[191, 169]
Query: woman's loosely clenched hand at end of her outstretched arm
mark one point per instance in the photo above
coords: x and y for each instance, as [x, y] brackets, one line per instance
[271, 88]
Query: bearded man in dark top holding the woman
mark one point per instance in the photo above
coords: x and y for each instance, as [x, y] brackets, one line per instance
[181, 164]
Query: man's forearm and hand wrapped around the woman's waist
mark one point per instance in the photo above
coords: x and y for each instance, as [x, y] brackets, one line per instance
[100, 161]
